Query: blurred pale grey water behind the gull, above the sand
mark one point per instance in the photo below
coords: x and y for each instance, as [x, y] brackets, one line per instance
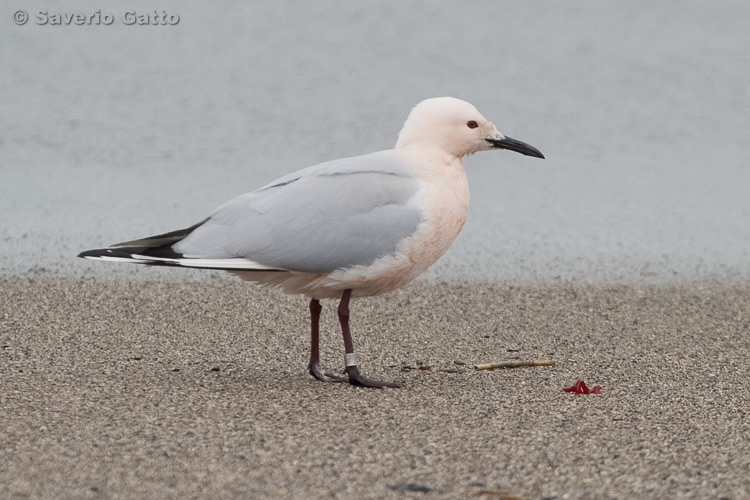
[111, 132]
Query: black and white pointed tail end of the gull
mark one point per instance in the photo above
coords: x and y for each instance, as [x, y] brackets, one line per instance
[158, 251]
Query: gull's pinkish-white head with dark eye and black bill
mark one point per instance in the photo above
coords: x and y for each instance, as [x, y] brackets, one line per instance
[455, 127]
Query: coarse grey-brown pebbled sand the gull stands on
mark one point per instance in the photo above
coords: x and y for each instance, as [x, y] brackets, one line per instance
[179, 389]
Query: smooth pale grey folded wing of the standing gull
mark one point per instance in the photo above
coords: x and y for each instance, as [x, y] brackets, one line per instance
[331, 216]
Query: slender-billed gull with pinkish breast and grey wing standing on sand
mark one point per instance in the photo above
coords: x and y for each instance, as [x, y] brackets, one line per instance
[354, 227]
